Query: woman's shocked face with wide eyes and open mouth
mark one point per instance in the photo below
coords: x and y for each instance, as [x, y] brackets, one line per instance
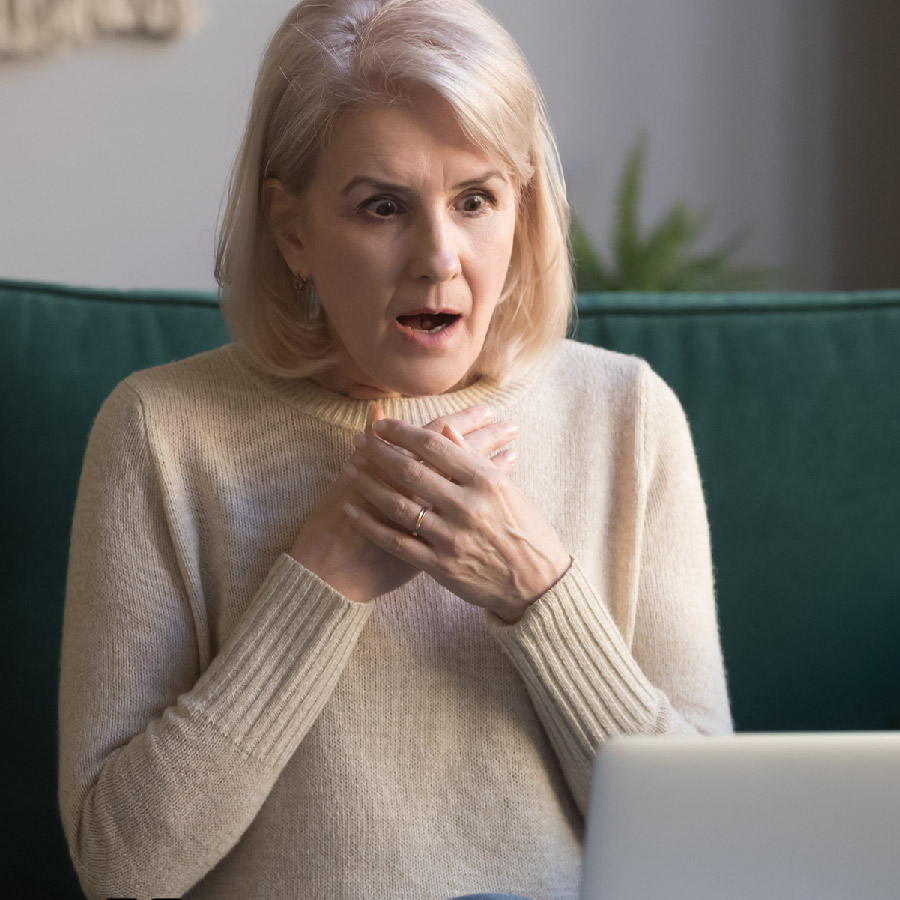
[407, 231]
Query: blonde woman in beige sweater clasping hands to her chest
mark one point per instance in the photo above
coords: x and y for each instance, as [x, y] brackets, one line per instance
[328, 633]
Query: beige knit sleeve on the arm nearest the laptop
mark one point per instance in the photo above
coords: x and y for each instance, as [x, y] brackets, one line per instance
[587, 682]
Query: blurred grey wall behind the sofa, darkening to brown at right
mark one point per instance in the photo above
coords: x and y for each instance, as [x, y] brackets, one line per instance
[781, 117]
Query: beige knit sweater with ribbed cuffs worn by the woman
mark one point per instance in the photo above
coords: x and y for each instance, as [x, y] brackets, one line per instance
[232, 727]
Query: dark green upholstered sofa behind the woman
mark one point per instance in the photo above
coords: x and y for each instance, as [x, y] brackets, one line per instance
[794, 402]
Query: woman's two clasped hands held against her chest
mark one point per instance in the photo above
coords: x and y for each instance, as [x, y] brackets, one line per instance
[480, 536]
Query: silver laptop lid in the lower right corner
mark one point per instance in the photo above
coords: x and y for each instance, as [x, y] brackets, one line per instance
[748, 817]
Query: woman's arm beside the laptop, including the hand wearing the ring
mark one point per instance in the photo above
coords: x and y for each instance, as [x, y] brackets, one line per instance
[587, 679]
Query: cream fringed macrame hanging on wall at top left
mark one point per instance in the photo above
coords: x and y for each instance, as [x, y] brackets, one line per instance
[29, 27]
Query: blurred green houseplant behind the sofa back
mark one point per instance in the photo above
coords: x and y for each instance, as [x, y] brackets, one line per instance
[664, 259]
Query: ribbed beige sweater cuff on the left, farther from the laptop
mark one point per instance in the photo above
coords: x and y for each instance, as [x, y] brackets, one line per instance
[269, 683]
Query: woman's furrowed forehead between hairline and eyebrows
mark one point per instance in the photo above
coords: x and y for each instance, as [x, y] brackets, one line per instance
[410, 143]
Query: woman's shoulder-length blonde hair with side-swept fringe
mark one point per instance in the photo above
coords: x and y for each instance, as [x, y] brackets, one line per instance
[332, 55]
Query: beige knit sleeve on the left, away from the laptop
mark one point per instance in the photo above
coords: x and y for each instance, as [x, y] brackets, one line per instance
[163, 766]
